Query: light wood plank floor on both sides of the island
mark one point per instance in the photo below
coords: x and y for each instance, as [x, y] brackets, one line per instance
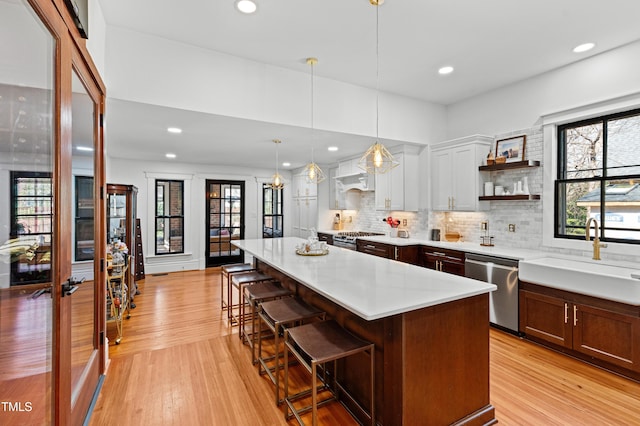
[180, 364]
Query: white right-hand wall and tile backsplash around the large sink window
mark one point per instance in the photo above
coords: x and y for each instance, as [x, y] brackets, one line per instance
[596, 86]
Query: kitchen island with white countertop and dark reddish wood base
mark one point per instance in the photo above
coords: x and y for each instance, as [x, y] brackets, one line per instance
[430, 329]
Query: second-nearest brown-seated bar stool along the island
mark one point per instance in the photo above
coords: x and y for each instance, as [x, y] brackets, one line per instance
[278, 314]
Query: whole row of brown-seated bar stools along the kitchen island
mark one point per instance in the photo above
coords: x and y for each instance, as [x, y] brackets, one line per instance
[311, 339]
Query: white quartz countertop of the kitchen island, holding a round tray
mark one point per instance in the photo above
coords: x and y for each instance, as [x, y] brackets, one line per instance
[369, 286]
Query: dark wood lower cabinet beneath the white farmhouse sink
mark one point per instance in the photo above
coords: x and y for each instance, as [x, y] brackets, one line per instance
[600, 331]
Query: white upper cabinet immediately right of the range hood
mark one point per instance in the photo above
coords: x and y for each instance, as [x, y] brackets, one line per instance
[398, 188]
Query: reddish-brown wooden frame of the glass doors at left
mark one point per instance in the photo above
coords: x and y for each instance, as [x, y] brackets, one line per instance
[70, 52]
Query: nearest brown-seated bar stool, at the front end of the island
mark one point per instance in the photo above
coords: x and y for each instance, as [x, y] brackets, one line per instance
[316, 344]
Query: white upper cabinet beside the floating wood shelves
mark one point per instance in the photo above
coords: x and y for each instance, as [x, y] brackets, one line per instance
[455, 180]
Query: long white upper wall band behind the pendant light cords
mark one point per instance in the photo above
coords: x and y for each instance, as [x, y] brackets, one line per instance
[148, 69]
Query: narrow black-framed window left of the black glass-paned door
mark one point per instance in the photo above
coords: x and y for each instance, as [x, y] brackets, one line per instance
[169, 217]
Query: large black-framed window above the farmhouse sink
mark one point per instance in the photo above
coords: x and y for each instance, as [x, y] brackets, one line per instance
[599, 178]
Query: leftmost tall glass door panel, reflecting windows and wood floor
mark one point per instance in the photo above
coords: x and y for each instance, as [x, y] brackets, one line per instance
[27, 248]
